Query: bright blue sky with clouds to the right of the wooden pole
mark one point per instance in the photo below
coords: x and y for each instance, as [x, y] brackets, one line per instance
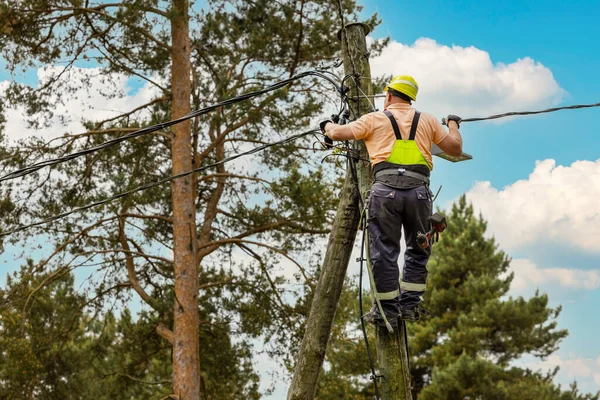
[561, 36]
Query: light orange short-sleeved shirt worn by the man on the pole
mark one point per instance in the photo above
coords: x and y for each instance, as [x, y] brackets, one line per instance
[376, 130]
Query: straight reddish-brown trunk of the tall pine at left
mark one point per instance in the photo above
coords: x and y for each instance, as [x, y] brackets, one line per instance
[186, 355]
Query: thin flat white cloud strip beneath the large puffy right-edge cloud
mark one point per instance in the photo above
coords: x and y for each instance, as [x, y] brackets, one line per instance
[528, 275]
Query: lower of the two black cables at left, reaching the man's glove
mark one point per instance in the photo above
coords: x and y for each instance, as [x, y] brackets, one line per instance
[156, 183]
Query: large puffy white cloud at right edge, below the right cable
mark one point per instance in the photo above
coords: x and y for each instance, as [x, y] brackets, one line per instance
[556, 204]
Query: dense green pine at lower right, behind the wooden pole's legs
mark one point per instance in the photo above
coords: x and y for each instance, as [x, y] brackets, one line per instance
[466, 346]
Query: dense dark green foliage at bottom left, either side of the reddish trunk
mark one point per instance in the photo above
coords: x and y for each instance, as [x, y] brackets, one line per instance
[61, 351]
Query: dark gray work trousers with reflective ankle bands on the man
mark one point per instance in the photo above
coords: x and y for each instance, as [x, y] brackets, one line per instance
[391, 209]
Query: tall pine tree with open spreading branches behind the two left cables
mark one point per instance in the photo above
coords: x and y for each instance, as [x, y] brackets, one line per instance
[270, 211]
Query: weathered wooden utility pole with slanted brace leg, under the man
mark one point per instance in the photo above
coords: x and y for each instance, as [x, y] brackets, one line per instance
[391, 352]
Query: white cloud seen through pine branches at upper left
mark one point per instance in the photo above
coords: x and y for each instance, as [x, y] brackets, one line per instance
[89, 102]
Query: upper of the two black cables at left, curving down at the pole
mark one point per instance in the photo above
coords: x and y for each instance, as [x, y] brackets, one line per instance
[35, 167]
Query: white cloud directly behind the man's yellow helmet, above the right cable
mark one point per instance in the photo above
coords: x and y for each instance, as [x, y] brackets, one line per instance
[464, 81]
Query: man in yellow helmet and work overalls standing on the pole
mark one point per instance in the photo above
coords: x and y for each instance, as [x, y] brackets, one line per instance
[399, 141]
